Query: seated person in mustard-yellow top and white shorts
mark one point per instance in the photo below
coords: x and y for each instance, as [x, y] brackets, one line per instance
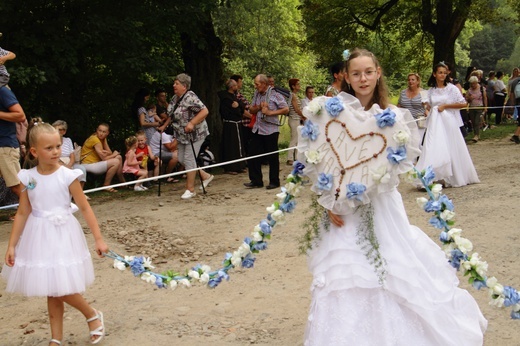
[98, 158]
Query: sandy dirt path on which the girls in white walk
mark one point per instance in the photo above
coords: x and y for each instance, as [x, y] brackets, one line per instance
[266, 305]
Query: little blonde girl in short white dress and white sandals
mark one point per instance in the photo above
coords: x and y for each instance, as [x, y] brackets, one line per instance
[47, 254]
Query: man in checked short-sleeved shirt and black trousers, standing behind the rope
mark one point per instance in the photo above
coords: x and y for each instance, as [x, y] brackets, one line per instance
[267, 104]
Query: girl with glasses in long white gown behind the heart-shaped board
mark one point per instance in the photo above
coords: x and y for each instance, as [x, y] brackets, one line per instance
[418, 302]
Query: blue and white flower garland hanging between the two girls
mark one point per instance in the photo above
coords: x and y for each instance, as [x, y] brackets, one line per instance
[243, 257]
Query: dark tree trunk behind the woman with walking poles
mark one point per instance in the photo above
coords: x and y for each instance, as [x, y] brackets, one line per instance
[202, 60]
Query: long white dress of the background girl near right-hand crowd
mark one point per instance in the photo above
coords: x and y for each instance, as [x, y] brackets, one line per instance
[444, 147]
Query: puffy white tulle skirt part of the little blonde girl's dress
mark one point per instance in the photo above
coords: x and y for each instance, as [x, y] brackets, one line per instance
[51, 258]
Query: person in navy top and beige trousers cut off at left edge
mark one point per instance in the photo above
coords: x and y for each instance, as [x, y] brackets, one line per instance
[10, 113]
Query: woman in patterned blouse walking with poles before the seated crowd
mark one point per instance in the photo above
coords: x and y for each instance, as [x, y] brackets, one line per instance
[188, 115]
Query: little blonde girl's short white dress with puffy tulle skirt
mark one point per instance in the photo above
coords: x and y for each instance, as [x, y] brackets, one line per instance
[51, 257]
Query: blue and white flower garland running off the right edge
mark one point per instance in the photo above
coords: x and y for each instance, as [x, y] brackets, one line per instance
[458, 249]
